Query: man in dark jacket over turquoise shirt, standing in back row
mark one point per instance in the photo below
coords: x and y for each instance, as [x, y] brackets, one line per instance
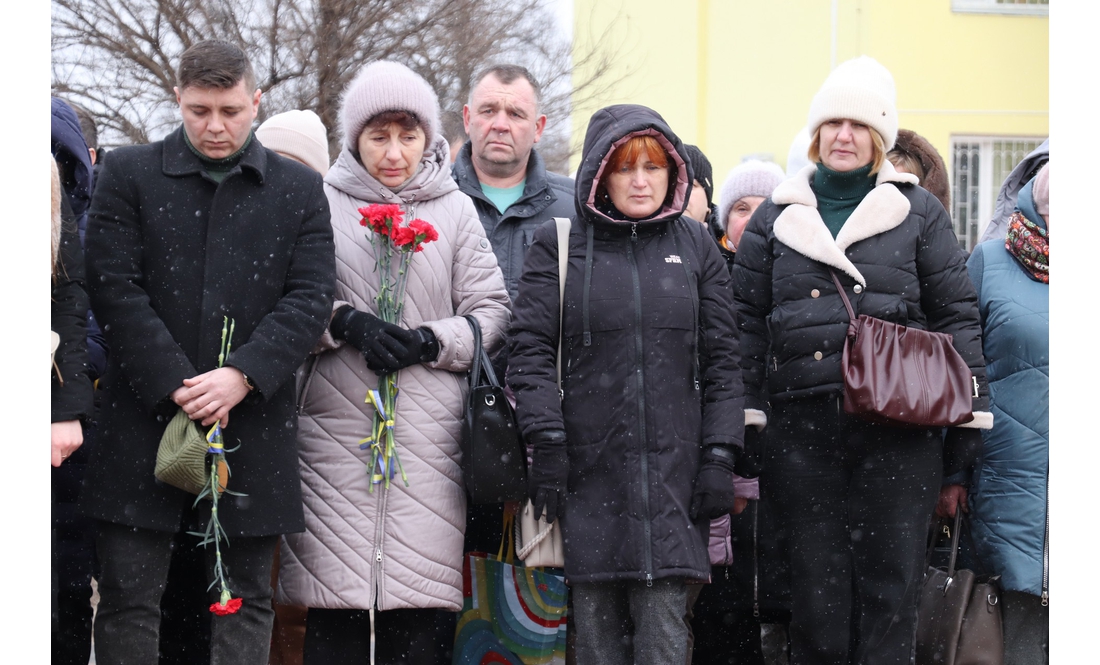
[502, 172]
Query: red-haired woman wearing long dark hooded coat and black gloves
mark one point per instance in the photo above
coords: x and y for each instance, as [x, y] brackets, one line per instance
[637, 452]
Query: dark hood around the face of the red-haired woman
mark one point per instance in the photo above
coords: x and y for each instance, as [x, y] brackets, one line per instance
[609, 129]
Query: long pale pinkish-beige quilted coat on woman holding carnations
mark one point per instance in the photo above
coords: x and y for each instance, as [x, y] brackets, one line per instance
[398, 548]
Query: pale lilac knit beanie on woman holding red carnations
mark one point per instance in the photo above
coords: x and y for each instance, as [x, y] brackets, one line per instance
[387, 86]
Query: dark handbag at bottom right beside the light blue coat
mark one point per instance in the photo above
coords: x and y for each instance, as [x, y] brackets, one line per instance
[959, 619]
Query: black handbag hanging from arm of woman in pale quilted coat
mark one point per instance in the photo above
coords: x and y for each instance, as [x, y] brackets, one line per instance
[494, 460]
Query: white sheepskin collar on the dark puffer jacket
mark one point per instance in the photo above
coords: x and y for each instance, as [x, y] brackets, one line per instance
[801, 228]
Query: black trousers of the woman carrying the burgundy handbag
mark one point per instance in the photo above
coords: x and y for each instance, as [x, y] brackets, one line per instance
[855, 500]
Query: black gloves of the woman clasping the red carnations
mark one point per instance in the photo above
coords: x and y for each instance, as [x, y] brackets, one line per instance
[387, 348]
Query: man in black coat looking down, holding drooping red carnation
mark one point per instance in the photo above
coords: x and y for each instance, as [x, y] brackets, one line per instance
[185, 232]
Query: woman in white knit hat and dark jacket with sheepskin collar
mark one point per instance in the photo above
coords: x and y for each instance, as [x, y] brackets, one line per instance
[855, 497]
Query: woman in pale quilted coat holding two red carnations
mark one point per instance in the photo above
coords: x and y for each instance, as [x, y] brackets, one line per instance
[397, 548]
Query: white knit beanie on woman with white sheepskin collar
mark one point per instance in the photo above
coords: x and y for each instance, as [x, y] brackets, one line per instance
[859, 90]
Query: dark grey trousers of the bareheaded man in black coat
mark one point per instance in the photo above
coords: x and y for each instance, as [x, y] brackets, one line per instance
[134, 573]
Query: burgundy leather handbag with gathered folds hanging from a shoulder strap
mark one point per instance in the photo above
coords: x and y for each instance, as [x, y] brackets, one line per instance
[904, 376]
